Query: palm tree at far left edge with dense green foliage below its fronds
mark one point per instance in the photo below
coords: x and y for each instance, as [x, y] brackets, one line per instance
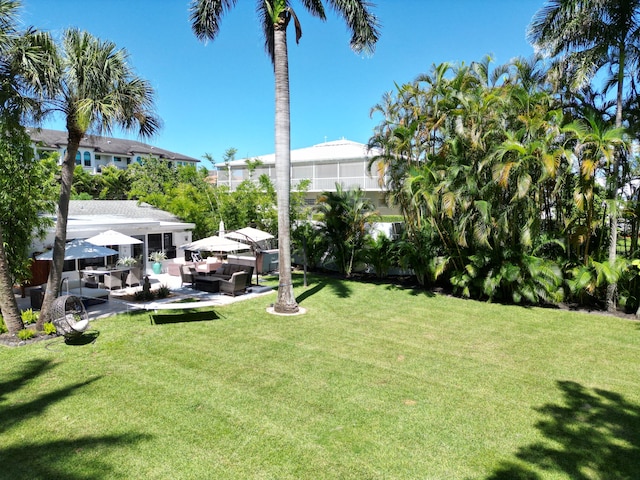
[21, 56]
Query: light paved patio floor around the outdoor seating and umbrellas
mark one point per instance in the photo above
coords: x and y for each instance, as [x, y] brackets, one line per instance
[120, 302]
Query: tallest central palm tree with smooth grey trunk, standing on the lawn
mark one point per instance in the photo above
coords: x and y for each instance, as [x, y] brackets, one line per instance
[275, 17]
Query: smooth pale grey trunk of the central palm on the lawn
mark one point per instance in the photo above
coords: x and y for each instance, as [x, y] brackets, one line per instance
[286, 302]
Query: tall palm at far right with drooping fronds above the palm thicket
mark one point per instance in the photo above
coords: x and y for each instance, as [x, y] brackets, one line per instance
[586, 36]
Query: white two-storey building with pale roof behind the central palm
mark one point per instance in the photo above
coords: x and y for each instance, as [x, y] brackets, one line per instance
[325, 164]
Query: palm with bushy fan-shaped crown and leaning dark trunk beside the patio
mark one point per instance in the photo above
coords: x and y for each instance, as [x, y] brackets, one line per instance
[96, 90]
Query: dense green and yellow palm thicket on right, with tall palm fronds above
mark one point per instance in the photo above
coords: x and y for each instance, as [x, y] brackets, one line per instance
[508, 177]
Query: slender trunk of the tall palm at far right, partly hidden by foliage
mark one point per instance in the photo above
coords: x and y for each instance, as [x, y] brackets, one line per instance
[613, 233]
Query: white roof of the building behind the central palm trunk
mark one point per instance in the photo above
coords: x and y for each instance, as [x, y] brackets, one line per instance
[328, 151]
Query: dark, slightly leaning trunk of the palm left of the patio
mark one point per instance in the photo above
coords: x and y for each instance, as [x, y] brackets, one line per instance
[55, 275]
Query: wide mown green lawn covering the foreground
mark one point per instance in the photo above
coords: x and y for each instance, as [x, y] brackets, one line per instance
[373, 382]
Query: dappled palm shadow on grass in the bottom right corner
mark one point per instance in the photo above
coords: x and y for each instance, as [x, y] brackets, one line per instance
[594, 434]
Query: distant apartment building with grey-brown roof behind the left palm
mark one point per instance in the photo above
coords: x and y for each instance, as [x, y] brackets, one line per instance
[96, 152]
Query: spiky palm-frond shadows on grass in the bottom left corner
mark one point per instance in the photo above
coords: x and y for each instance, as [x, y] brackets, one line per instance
[68, 459]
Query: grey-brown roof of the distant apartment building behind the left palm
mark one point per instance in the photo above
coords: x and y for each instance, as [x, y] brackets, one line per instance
[109, 145]
